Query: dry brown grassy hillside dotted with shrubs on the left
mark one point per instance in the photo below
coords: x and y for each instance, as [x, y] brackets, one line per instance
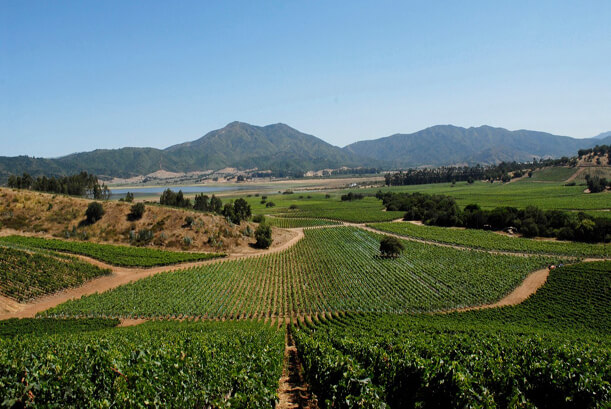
[63, 216]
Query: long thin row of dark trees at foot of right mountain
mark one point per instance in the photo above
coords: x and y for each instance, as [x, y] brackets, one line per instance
[447, 174]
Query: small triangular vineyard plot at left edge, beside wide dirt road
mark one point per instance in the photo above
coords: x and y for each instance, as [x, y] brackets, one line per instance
[26, 275]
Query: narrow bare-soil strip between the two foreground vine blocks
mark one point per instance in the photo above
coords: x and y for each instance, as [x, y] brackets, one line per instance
[293, 390]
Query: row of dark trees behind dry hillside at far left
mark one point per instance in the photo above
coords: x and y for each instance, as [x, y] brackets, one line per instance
[80, 184]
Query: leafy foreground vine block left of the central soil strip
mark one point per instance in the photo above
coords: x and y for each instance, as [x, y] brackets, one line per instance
[169, 364]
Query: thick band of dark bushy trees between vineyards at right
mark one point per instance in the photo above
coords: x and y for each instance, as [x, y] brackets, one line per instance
[442, 210]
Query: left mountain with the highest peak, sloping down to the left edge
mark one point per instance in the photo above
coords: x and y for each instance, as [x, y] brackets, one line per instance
[240, 145]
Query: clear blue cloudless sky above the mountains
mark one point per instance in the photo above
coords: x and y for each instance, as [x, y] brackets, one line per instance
[79, 75]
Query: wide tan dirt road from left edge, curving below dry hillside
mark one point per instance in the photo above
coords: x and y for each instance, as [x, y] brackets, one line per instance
[120, 276]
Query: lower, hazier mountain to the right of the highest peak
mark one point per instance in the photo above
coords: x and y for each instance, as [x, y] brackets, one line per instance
[449, 145]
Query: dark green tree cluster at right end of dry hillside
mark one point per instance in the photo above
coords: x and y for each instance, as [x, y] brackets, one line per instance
[234, 211]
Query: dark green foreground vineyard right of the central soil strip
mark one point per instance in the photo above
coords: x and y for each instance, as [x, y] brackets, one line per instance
[553, 351]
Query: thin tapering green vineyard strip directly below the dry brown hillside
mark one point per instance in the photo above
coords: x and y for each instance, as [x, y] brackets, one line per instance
[111, 254]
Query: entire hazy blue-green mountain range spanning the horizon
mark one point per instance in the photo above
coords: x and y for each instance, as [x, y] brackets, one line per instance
[279, 147]
